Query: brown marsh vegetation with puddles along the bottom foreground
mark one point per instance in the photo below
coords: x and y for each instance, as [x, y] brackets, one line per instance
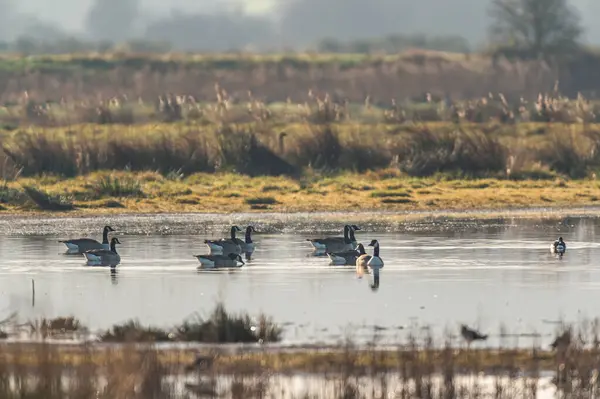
[419, 365]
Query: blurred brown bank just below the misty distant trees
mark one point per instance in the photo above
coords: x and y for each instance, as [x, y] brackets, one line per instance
[270, 78]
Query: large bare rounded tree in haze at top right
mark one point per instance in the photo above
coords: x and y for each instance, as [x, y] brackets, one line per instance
[536, 28]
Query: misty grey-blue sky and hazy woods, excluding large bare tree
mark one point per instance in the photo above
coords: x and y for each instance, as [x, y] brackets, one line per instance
[257, 25]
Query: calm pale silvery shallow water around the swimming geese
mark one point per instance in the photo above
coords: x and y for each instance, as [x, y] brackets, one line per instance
[485, 276]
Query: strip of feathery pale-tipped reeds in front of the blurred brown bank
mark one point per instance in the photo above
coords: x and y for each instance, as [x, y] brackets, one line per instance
[317, 108]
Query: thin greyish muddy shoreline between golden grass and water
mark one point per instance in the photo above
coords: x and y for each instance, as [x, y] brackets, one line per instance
[301, 222]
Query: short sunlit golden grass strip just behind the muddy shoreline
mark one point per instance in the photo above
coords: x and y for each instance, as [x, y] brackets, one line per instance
[372, 191]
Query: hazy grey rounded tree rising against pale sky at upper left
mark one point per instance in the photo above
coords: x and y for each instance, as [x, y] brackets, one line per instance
[112, 20]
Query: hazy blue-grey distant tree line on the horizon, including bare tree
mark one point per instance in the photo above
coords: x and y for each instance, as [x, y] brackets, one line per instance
[517, 29]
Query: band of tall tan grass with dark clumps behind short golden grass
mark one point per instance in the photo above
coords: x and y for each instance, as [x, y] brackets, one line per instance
[529, 150]
